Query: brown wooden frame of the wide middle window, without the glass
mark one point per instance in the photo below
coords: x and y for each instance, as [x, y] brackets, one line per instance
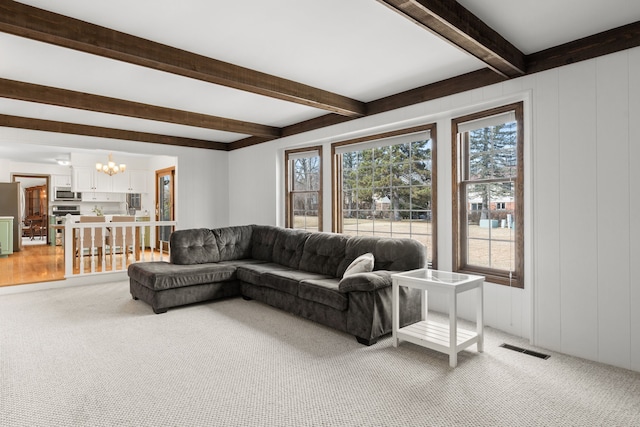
[336, 180]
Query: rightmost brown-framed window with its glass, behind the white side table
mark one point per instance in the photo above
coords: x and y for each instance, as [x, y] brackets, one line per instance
[488, 195]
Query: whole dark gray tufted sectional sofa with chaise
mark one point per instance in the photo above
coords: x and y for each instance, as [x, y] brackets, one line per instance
[297, 271]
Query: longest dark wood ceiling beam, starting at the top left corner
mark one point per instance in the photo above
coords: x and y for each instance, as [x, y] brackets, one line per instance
[41, 25]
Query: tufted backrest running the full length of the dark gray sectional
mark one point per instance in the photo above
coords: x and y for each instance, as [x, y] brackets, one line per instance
[323, 253]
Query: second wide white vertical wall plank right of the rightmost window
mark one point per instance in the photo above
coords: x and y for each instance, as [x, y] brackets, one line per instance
[577, 207]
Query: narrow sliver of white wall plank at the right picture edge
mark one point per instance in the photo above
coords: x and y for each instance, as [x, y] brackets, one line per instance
[634, 206]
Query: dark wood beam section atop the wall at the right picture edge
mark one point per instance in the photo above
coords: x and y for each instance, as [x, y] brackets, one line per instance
[605, 43]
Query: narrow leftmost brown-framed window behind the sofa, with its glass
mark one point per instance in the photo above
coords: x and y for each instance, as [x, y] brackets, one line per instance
[304, 188]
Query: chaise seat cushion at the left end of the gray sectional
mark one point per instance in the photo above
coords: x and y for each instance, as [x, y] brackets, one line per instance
[160, 275]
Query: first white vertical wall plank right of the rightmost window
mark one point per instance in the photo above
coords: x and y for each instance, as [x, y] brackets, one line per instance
[547, 304]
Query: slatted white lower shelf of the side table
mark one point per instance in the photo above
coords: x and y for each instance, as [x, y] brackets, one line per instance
[435, 336]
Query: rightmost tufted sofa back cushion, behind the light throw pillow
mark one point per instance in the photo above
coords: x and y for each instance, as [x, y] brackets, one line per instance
[393, 254]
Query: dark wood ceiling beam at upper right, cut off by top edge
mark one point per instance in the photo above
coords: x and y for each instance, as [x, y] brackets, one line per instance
[454, 23]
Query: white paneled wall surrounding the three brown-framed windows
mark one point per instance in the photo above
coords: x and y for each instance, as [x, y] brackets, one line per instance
[582, 296]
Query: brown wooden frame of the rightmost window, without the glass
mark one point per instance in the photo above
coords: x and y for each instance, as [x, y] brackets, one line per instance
[459, 146]
